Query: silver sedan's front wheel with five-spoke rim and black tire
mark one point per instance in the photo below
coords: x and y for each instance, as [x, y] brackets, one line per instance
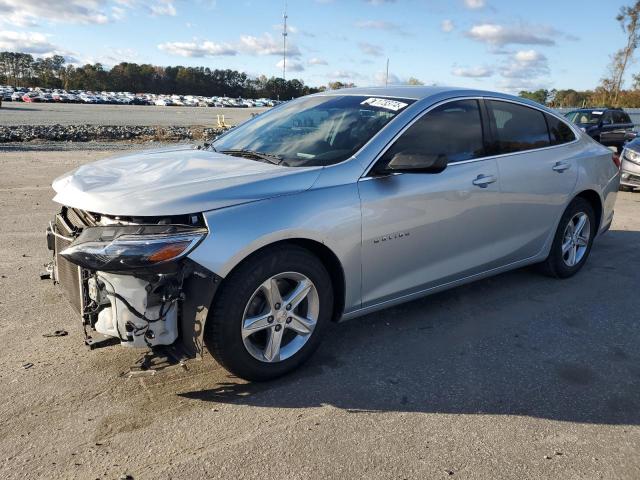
[270, 314]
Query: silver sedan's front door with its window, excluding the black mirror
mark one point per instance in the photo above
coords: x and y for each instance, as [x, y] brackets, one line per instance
[422, 230]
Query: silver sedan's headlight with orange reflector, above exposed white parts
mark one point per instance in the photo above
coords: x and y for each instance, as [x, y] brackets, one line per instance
[117, 248]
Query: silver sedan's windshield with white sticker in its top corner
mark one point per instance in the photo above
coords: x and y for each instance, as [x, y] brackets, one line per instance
[313, 131]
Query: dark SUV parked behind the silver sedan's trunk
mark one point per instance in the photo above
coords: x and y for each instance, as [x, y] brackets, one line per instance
[612, 127]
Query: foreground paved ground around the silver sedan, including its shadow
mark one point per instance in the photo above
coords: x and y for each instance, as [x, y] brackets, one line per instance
[518, 376]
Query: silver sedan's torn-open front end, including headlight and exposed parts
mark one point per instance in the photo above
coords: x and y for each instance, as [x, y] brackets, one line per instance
[130, 279]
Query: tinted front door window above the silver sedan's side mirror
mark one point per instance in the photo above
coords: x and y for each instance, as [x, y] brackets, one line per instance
[453, 129]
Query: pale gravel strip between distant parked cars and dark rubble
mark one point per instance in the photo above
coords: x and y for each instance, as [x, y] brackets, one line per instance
[18, 113]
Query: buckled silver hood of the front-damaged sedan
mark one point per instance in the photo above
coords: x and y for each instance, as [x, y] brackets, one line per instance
[176, 181]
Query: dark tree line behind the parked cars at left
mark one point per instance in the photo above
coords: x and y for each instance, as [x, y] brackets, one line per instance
[23, 70]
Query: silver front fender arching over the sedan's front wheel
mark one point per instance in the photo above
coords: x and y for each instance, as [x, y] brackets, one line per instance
[330, 216]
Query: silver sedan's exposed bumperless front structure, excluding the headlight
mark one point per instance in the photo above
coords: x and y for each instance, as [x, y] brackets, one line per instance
[137, 309]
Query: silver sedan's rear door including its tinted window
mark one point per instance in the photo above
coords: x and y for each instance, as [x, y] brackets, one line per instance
[537, 174]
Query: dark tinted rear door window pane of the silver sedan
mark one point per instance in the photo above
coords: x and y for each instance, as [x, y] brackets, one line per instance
[518, 128]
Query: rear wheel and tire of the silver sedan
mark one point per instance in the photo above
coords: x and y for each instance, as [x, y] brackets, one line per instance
[572, 241]
